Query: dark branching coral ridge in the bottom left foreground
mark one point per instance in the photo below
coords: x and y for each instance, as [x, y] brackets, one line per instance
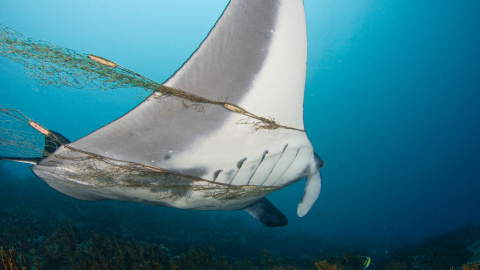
[65, 249]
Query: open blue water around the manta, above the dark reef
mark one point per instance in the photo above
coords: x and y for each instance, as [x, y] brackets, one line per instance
[392, 104]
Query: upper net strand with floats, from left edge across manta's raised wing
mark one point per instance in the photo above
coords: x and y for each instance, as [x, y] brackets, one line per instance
[62, 67]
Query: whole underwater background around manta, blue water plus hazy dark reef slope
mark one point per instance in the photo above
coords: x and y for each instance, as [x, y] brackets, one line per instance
[392, 105]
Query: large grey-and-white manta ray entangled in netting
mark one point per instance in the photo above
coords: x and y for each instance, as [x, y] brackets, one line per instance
[224, 131]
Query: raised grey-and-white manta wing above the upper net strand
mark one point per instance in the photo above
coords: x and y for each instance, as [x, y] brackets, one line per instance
[254, 57]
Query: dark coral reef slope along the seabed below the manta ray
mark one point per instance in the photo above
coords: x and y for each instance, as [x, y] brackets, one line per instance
[47, 230]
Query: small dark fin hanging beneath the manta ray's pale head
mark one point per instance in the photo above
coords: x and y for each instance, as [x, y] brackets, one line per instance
[267, 213]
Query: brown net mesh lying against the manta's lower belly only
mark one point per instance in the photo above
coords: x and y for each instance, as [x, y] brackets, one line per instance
[93, 171]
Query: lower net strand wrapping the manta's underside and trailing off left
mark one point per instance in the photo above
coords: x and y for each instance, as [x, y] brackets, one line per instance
[23, 138]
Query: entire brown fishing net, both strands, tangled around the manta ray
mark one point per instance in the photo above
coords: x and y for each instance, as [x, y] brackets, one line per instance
[52, 65]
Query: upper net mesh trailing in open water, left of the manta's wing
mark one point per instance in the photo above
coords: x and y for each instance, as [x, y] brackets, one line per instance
[53, 65]
